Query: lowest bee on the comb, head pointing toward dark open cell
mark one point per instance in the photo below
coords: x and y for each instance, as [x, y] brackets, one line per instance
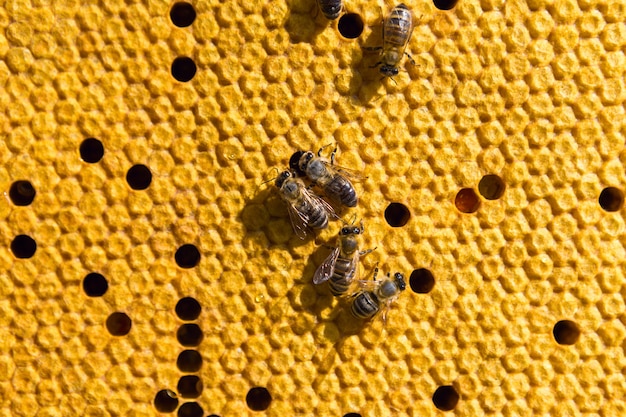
[367, 302]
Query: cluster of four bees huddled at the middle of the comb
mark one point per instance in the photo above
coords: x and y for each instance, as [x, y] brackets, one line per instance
[309, 211]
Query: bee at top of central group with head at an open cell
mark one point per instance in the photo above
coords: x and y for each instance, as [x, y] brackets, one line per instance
[333, 181]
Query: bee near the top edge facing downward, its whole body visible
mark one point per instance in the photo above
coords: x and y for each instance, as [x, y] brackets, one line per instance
[397, 31]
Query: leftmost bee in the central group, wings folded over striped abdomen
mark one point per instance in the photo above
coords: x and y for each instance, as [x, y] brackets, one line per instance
[305, 208]
